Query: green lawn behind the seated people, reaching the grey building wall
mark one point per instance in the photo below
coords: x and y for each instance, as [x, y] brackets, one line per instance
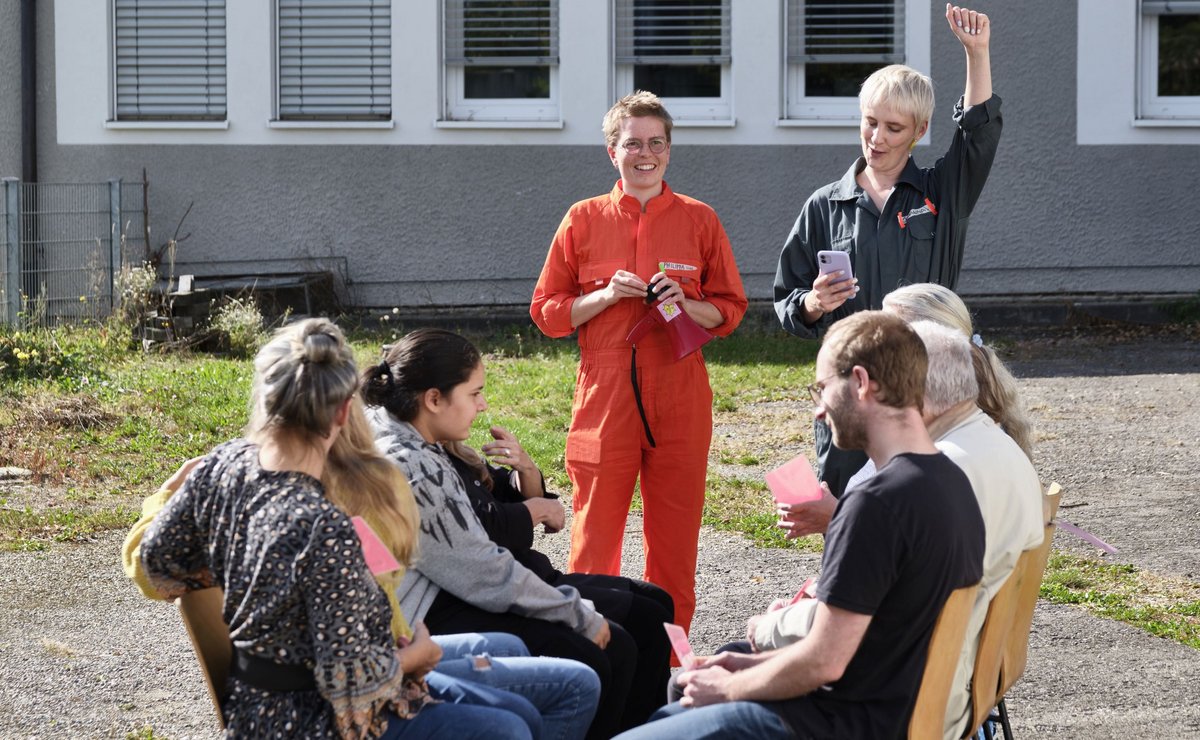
[118, 424]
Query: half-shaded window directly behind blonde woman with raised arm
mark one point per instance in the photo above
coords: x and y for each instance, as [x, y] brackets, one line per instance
[832, 47]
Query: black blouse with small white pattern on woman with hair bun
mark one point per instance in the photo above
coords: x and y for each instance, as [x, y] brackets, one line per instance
[297, 592]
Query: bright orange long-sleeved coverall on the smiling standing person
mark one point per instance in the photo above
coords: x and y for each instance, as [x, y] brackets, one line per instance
[607, 447]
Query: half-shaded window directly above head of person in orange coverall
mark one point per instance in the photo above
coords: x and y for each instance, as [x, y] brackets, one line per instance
[679, 50]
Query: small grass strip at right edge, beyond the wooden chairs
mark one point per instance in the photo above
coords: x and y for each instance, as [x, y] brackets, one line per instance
[1167, 607]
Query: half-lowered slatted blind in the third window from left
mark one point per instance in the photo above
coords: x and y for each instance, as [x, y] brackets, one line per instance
[511, 33]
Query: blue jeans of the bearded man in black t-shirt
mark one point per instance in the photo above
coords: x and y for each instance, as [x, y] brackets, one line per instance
[748, 720]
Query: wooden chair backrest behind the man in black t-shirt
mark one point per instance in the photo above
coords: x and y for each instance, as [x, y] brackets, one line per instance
[950, 630]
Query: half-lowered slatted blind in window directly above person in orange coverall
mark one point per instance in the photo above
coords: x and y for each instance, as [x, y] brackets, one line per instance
[673, 32]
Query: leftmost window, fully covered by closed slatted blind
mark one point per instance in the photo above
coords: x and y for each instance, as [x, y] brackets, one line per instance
[128, 107]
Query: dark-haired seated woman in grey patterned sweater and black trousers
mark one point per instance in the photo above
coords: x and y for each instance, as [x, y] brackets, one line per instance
[429, 390]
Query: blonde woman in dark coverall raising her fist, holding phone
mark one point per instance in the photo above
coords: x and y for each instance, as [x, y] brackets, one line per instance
[901, 224]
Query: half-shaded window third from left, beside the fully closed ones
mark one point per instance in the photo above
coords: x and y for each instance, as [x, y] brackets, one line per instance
[501, 61]
